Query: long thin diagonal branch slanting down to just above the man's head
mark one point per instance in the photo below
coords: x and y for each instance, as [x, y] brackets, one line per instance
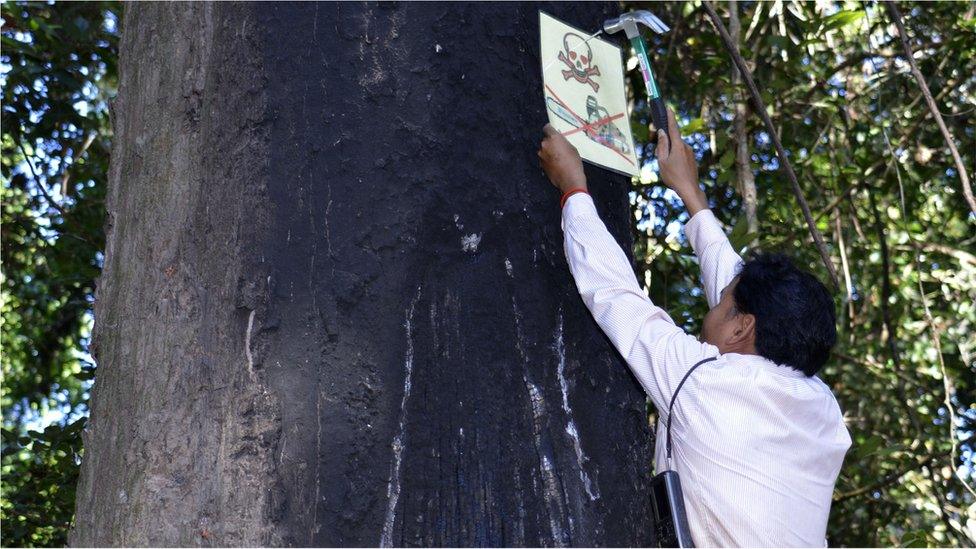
[784, 161]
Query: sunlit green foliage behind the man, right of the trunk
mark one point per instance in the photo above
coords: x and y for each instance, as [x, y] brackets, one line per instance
[884, 190]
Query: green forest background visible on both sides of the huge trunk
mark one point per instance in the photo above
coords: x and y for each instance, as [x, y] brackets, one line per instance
[872, 162]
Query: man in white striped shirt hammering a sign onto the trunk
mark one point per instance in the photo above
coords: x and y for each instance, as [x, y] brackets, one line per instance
[758, 440]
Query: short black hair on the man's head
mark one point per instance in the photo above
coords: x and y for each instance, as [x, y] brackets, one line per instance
[795, 320]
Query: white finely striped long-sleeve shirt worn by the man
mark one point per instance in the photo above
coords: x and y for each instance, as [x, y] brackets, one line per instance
[758, 446]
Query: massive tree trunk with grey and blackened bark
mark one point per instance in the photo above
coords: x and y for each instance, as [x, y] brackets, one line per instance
[335, 308]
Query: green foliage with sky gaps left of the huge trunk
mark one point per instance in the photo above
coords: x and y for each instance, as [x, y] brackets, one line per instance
[59, 67]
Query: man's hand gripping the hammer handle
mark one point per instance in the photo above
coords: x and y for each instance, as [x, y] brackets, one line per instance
[679, 171]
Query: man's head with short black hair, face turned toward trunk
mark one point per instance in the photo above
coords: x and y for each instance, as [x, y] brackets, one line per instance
[777, 311]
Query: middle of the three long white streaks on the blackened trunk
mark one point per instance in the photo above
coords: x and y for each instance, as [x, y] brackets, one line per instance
[550, 489]
